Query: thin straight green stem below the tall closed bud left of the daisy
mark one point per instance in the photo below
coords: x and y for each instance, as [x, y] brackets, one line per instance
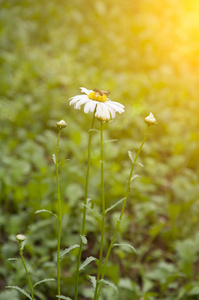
[59, 215]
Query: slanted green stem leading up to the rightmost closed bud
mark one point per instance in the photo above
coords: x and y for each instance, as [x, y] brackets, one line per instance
[122, 212]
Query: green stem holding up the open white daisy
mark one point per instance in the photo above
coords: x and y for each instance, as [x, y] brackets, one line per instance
[84, 208]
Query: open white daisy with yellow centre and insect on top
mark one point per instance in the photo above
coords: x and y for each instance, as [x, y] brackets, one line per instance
[105, 108]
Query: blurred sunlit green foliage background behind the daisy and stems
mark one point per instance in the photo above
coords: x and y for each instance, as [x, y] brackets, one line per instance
[146, 53]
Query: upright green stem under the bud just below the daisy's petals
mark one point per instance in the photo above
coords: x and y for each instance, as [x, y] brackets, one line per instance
[103, 214]
